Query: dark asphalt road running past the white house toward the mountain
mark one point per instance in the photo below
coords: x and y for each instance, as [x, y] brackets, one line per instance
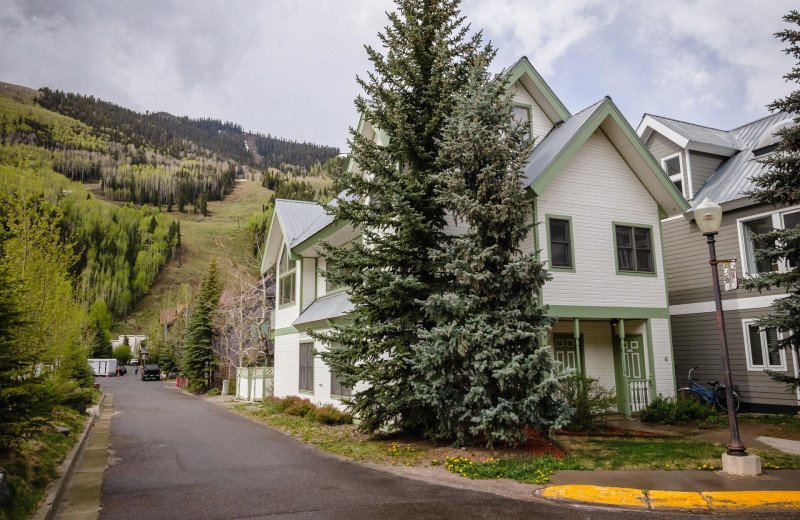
[177, 457]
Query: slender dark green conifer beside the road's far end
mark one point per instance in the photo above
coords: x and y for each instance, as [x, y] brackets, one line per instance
[199, 358]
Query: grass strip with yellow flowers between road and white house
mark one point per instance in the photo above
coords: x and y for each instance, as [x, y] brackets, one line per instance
[582, 452]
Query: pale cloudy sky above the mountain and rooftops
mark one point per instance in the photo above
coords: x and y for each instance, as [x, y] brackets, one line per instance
[288, 67]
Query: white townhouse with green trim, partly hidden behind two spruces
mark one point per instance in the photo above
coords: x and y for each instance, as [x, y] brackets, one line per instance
[598, 196]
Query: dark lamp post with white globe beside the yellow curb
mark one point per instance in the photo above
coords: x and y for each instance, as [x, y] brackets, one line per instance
[708, 216]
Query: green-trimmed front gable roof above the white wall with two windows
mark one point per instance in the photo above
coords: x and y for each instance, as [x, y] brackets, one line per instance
[564, 141]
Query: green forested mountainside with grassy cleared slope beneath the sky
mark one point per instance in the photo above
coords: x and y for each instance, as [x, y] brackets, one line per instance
[156, 198]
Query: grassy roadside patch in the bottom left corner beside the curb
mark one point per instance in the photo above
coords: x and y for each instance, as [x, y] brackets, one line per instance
[32, 467]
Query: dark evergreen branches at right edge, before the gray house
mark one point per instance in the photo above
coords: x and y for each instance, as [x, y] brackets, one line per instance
[780, 186]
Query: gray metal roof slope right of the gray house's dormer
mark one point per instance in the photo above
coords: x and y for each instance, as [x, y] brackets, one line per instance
[732, 177]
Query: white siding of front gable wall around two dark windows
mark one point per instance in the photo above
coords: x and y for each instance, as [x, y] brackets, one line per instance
[597, 188]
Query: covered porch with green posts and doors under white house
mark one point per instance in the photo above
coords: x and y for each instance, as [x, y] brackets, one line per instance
[618, 352]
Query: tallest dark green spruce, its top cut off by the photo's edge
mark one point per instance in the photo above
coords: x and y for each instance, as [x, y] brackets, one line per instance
[392, 200]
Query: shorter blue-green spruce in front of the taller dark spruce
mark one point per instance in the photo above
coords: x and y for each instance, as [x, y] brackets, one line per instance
[484, 370]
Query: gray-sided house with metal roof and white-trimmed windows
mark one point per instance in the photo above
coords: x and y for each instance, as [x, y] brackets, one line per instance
[707, 162]
